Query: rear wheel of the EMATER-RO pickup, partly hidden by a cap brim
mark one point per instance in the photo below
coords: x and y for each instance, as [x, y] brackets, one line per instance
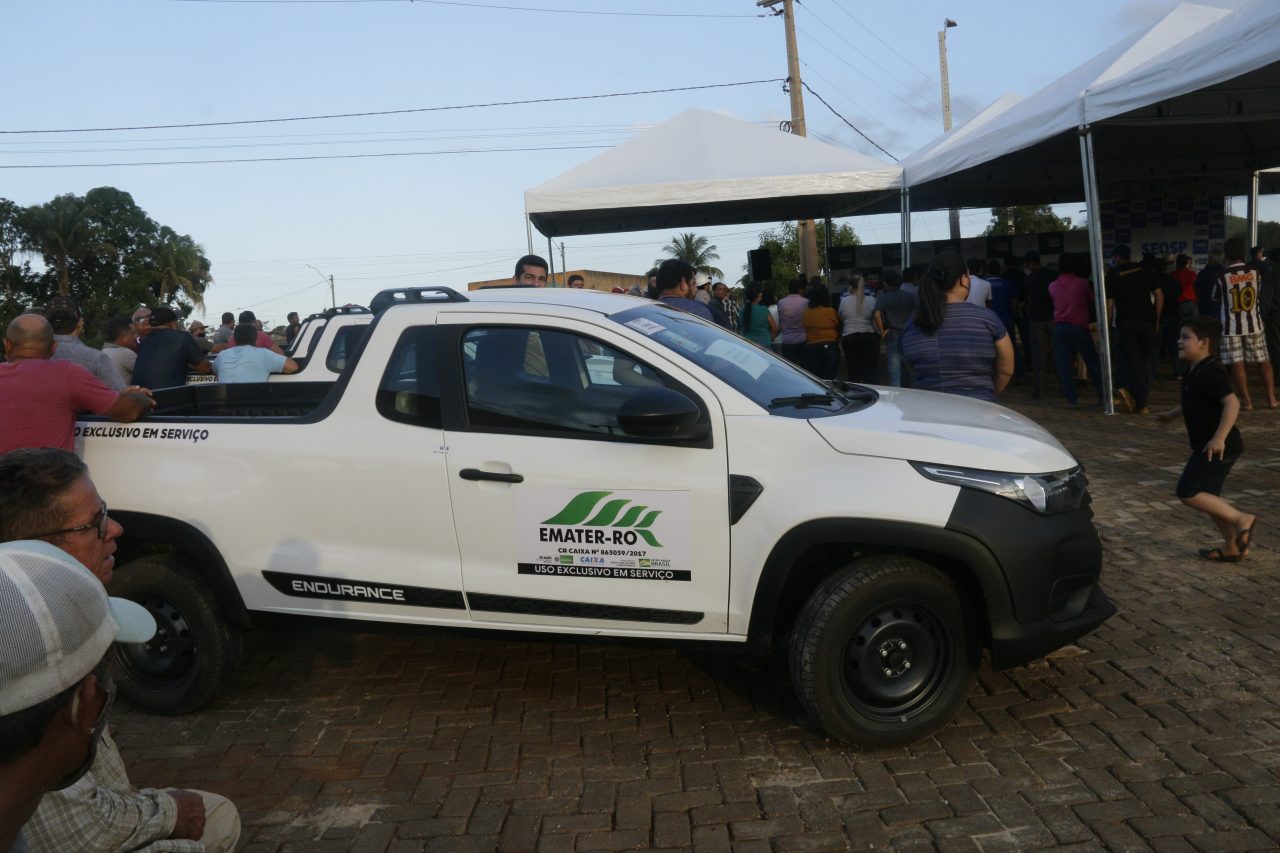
[194, 654]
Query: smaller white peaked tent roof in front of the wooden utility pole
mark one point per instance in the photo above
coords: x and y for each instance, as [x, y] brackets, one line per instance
[705, 168]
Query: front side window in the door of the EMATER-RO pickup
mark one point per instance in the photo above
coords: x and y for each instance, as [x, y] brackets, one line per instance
[547, 381]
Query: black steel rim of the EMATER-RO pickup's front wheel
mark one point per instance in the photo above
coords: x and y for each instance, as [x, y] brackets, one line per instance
[897, 662]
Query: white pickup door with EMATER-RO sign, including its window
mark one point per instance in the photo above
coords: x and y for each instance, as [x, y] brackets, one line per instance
[563, 519]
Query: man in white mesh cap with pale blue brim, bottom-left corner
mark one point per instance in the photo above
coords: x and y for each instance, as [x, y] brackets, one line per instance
[54, 667]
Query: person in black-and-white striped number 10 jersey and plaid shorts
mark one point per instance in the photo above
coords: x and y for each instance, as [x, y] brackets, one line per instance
[1244, 335]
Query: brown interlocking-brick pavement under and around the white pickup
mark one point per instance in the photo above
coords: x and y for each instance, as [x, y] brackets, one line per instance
[1162, 731]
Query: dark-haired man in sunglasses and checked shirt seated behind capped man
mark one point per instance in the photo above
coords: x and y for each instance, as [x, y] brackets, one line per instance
[47, 494]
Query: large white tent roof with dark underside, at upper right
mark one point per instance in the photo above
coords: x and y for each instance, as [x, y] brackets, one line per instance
[1190, 106]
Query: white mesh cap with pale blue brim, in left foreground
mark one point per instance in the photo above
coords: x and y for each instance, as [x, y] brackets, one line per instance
[58, 623]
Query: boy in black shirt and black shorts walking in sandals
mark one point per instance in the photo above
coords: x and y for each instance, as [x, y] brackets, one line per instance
[1210, 408]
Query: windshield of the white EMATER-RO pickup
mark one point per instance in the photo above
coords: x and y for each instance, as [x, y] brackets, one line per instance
[761, 375]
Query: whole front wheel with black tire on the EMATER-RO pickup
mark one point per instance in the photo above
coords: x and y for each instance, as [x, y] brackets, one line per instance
[884, 653]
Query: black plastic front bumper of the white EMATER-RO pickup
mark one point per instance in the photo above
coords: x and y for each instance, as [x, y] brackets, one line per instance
[1052, 565]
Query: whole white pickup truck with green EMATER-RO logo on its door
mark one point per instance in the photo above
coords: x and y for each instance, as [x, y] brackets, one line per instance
[579, 463]
